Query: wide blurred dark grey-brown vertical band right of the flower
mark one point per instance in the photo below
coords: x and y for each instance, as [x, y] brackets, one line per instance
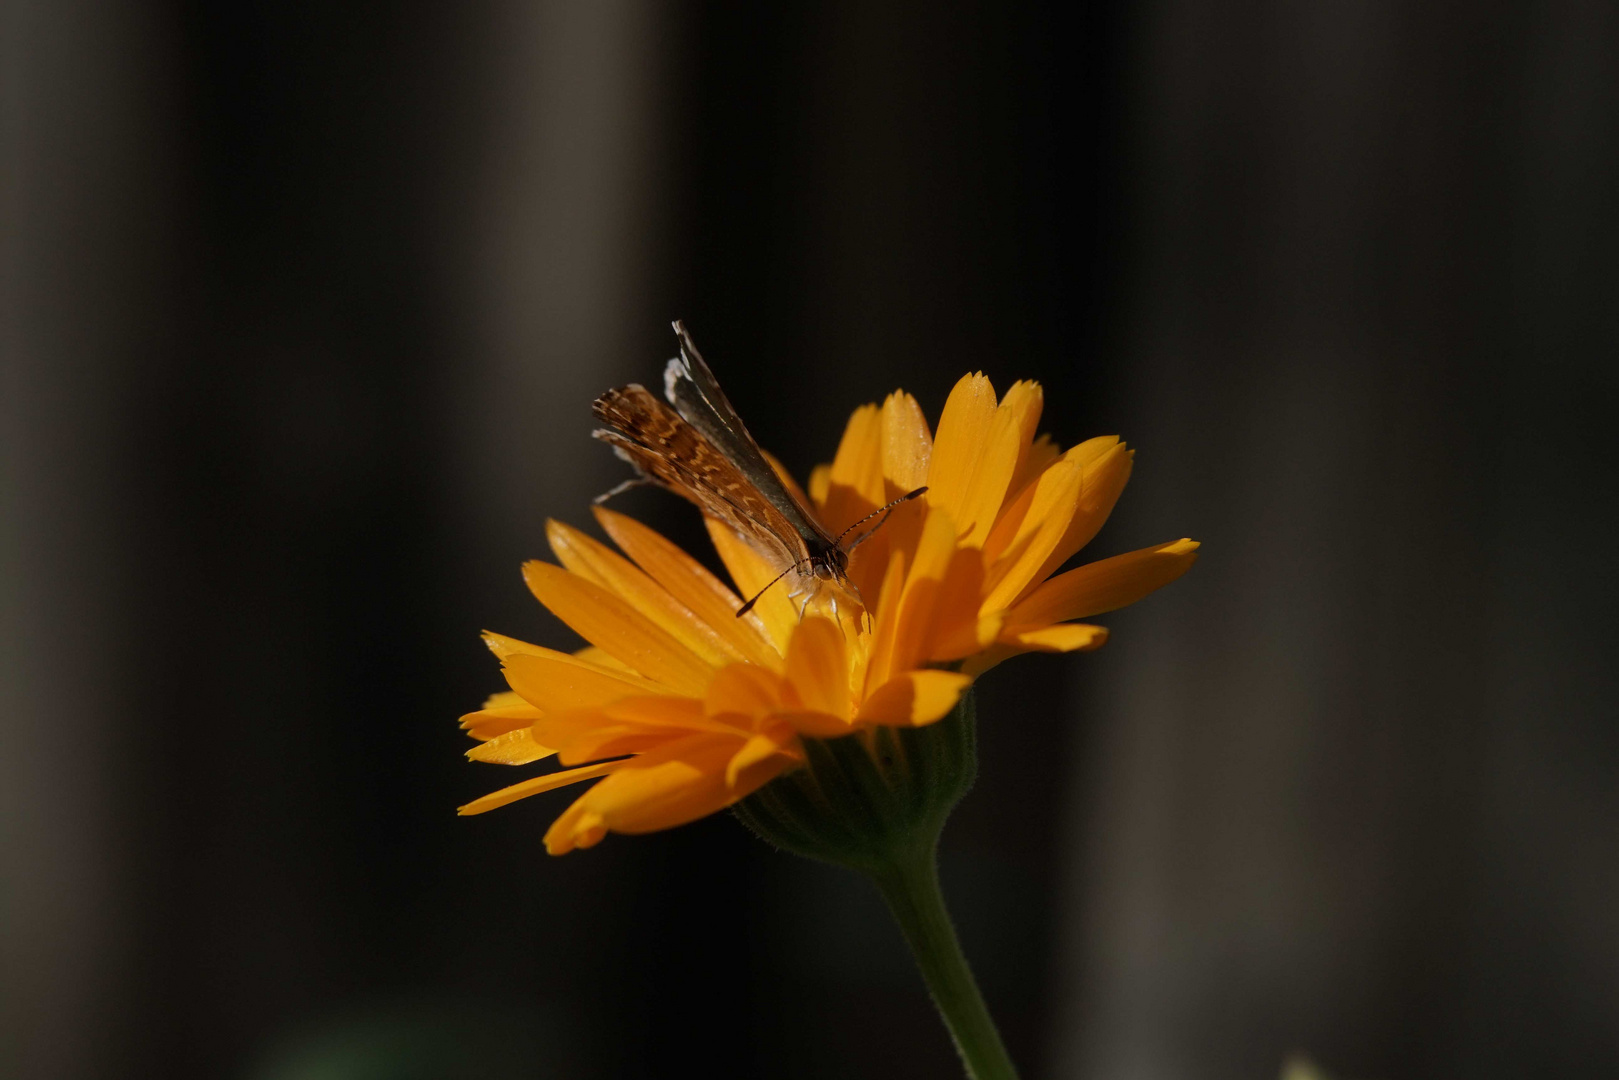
[1348, 783]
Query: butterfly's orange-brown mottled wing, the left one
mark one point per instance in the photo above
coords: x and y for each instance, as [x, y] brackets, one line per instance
[674, 454]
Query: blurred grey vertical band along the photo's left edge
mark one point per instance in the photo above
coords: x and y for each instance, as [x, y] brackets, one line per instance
[85, 250]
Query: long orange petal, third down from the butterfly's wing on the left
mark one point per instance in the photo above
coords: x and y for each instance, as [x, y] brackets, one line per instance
[610, 623]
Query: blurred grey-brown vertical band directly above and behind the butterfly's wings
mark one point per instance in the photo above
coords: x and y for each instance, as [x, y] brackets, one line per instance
[564, 260]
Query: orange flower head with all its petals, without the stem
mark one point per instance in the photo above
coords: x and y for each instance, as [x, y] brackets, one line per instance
[681, 708]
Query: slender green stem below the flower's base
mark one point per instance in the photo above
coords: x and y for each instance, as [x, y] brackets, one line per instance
[911, 885]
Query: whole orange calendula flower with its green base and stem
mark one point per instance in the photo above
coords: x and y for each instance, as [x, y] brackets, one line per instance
[815, 708]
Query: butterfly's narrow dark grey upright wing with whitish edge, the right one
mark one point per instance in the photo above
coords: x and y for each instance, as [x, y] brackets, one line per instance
[694, 391]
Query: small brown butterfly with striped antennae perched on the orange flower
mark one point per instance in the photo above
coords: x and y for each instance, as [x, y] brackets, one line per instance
[699, 448]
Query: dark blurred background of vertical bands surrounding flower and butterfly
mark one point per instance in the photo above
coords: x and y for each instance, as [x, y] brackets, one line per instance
[305, 305]
